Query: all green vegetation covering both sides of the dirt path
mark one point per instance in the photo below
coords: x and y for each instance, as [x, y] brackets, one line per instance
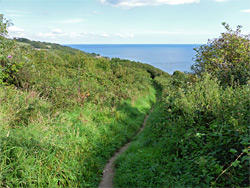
[64, 113]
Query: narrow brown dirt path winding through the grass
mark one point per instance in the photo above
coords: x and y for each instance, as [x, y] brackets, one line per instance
[109, 171]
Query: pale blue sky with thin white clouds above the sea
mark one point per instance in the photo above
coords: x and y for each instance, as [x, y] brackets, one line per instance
[124, 21]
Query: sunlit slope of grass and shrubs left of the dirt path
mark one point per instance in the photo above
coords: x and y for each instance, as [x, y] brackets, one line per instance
[68, 115]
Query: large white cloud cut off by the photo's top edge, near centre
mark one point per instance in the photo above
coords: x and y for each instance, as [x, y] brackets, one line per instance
[140, 3]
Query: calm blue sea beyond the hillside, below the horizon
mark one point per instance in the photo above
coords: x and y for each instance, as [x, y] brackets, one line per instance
[167, 57]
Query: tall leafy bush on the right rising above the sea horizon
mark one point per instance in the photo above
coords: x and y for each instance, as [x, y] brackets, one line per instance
[226, 57]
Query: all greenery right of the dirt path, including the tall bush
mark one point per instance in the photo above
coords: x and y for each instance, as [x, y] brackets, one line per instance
[199, 133]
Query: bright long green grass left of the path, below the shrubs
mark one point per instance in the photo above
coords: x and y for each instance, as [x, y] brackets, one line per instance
[63, 149]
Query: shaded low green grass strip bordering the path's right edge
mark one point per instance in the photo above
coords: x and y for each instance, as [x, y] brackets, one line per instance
[136, 167]
